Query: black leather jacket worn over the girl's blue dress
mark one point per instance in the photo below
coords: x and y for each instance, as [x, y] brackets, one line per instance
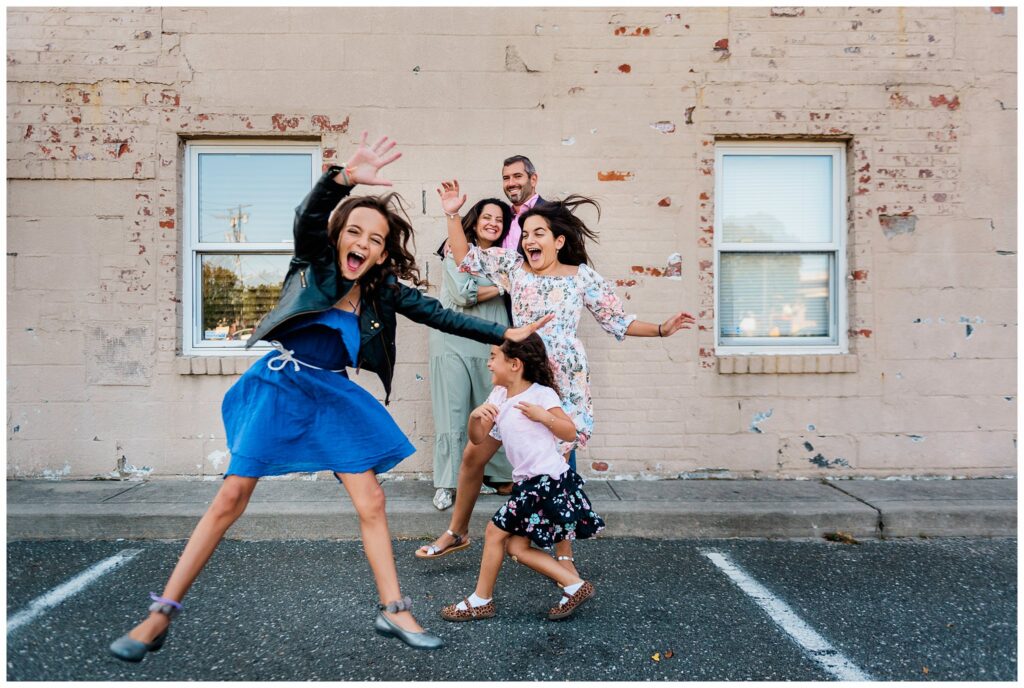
[315, 284]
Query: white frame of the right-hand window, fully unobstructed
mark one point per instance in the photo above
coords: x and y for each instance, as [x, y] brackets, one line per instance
[838, 290]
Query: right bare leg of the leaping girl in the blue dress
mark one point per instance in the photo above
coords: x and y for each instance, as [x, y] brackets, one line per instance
[368, 498]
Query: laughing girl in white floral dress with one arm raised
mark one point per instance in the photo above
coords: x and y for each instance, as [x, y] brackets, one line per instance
[554, 279]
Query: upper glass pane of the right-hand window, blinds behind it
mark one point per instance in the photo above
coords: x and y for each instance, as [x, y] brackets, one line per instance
[777, 199]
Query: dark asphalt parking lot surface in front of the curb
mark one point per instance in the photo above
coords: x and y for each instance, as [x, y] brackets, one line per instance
[906, 610]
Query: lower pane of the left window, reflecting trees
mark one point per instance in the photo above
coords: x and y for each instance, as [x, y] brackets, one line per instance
[238, 290]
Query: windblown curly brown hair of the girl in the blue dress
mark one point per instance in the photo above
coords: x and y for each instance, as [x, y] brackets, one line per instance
[401, 263]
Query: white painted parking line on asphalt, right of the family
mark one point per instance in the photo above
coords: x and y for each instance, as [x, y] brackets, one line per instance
[818, 649]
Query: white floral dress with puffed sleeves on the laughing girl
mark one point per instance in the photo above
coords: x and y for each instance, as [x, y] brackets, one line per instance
[535, 296]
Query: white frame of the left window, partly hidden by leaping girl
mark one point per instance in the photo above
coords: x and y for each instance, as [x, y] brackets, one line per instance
[192, 248]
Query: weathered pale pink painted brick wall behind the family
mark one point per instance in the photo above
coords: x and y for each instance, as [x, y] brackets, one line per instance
[622, 105]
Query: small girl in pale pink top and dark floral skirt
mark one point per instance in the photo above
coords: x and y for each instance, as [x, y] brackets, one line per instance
[548, 504]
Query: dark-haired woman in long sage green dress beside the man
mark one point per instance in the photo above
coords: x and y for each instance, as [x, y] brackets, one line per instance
[460, 380]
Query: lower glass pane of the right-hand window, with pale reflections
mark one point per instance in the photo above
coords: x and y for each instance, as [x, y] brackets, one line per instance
[775, 295]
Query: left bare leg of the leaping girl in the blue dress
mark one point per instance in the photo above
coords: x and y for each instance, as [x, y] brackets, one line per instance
[227, 507]
